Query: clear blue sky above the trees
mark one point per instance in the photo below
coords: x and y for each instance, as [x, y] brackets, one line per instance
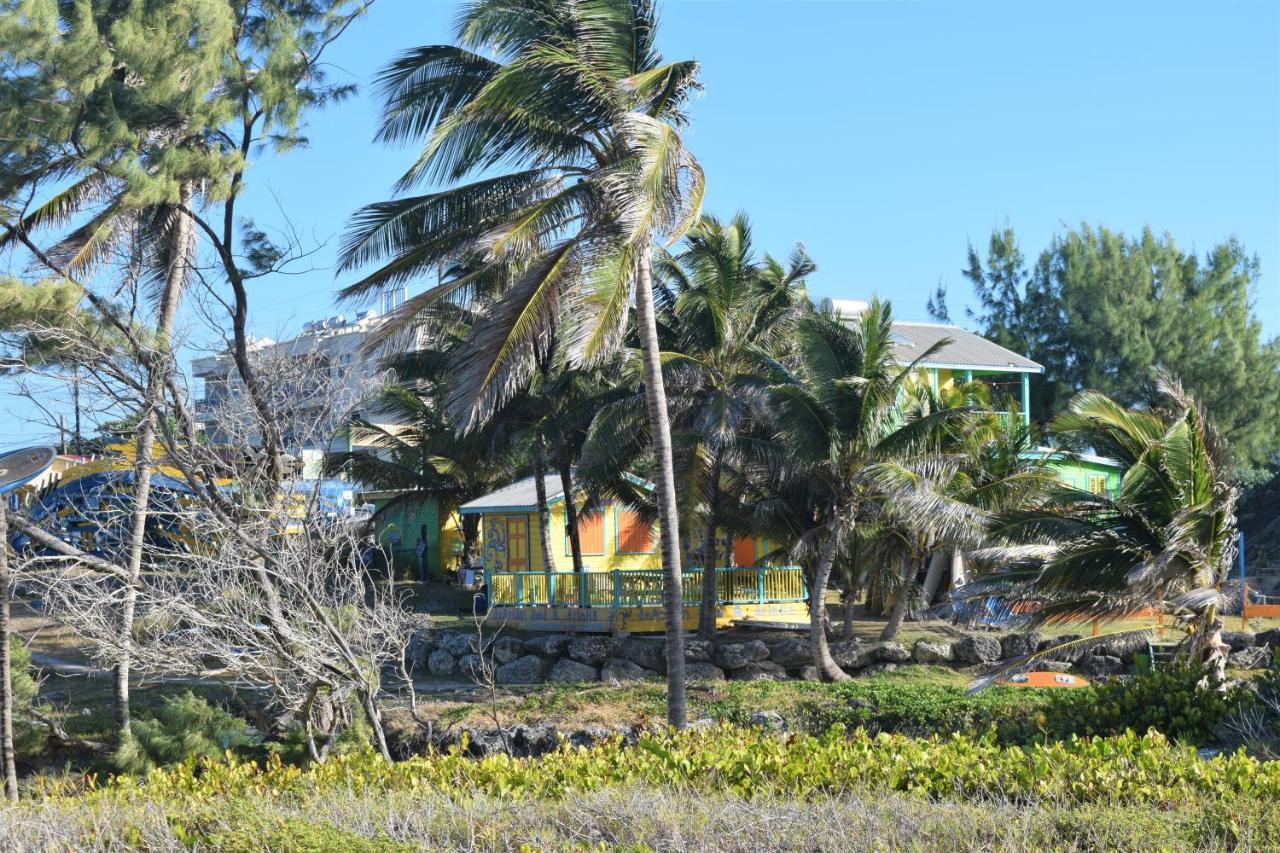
[888, 136]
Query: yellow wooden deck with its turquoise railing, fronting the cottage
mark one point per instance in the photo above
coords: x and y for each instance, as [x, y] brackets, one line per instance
[630, 601]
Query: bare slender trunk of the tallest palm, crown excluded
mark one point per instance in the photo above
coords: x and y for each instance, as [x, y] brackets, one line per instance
[660, 426]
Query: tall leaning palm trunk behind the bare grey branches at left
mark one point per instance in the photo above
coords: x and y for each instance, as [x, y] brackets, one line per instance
[158, 366]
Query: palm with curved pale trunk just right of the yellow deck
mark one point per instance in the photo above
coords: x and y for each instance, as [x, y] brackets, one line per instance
[854, 450]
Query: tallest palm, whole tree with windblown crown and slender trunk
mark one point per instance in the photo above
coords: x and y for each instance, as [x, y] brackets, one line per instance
[574, 110]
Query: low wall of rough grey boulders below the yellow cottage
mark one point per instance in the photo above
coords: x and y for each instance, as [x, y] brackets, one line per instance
[563, 659]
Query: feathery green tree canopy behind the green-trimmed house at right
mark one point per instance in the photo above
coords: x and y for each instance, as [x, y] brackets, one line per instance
[1103, 312]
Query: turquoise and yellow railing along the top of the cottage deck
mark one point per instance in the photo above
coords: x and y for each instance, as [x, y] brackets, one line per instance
[643, 587]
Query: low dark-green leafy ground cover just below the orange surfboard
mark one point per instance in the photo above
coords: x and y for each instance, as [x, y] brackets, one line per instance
[1171, 701]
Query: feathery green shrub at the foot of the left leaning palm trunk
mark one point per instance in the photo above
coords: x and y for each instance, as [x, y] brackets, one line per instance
[182, 729]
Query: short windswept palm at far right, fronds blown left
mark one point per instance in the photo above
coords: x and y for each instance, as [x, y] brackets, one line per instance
[1165, 540]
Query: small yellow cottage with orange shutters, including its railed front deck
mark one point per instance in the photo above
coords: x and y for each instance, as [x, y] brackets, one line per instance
[620, 590]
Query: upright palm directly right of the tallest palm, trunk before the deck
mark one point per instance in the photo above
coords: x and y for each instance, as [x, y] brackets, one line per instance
[726, 318]
